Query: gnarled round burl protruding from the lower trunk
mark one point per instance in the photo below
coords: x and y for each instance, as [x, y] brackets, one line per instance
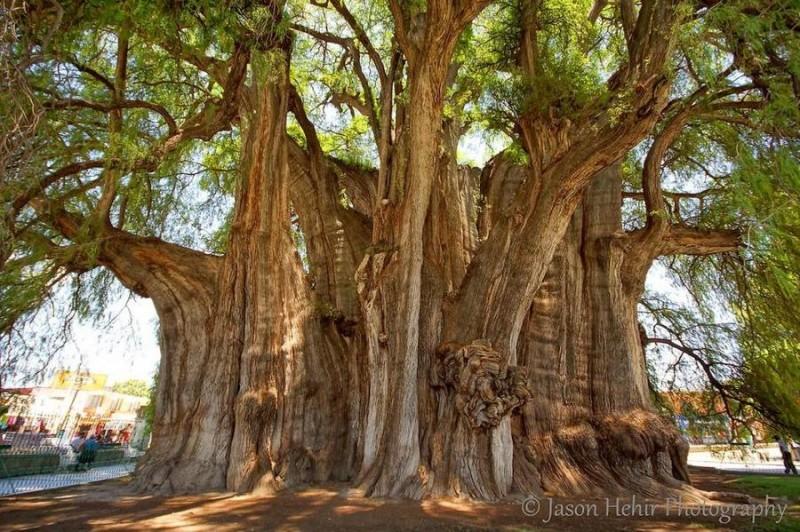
[487, 388]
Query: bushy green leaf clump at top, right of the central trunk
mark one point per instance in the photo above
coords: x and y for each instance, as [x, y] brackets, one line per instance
[568, 69]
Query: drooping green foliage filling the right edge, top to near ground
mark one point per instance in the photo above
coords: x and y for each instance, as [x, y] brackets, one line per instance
[748, 163]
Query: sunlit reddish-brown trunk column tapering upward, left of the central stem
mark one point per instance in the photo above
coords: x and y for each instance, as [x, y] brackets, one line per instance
[288, 424]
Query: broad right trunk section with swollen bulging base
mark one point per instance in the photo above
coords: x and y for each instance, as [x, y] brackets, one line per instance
[590, 427]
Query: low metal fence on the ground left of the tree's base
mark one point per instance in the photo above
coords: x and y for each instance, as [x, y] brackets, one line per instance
[27, 468]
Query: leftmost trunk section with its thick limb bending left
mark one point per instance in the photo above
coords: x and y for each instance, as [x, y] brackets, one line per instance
[185, 455]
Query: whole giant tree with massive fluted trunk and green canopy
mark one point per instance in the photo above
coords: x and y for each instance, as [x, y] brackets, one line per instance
[339, 297]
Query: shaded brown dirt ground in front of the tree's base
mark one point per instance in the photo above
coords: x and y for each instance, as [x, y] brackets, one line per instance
[113, 506]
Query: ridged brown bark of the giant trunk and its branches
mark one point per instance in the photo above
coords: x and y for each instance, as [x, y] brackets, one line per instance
[421, 328]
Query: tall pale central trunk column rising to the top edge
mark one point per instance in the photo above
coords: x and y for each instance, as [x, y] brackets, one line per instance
[390, 279]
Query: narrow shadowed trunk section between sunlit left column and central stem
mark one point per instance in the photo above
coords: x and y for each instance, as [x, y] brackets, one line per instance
[335, 239]
